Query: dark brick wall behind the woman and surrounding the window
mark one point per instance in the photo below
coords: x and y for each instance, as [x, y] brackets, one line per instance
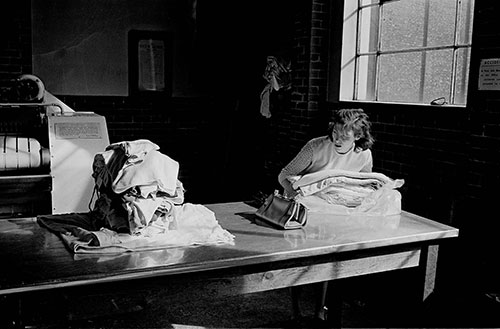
[227, 151]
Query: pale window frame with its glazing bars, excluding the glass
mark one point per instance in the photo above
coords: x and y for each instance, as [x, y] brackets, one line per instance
[348, 36]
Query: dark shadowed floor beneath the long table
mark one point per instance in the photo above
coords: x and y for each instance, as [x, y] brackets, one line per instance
[369, 302]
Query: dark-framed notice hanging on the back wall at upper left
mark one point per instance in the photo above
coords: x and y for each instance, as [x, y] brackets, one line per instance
[150, 63]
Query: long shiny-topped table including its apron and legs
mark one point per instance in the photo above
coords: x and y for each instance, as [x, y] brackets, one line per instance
[262, 258]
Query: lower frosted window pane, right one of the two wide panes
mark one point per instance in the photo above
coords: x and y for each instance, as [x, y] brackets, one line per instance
[438, 67]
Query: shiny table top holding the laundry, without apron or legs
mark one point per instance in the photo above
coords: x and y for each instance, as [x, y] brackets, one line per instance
[35, 259]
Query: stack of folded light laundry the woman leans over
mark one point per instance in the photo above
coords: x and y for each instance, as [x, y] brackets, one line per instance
[348, 192]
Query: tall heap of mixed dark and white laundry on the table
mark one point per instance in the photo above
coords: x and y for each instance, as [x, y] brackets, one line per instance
[139, 206]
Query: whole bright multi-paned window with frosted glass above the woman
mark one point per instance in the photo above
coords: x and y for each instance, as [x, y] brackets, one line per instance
[406, 51]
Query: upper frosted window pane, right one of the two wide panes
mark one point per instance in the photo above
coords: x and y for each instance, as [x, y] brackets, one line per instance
[441, 28]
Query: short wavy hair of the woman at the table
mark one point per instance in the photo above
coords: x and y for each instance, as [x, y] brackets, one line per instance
[355, 120]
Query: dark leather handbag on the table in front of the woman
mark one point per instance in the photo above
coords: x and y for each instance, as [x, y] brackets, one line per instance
[283, 212]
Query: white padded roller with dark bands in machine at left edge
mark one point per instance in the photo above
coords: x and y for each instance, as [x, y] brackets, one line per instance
[21, 153]
